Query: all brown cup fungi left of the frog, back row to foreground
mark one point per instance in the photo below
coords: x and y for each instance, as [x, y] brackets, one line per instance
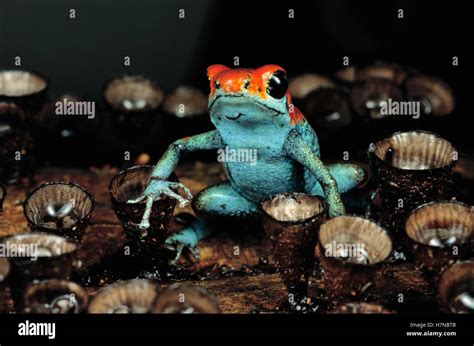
[38, 279]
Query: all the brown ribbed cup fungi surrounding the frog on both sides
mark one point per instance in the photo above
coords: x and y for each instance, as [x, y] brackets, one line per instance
[412, 214]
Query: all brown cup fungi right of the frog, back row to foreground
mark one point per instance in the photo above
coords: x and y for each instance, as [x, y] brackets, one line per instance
[411, 214]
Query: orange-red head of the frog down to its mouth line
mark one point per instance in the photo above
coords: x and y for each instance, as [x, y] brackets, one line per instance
[267, 85]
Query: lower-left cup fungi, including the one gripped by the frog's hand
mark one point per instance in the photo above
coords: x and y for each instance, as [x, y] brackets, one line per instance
[57, 215]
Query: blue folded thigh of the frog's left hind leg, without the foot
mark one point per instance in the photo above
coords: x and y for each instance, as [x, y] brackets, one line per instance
[222, 200]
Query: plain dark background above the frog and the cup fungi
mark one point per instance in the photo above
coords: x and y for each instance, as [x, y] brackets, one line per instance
[80, 55]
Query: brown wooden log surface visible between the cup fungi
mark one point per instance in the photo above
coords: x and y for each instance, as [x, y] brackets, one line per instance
[243, 293]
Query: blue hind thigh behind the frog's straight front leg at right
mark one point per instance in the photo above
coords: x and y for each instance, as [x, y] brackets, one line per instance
[347, 176]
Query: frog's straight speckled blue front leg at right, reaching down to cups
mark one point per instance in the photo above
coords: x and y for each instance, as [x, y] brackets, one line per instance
[298, 150]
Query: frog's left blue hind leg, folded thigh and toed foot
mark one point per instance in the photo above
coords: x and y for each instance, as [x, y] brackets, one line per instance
[215, 201]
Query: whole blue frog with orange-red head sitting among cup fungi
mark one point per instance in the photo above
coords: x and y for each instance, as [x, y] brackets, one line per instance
[251, 109]
